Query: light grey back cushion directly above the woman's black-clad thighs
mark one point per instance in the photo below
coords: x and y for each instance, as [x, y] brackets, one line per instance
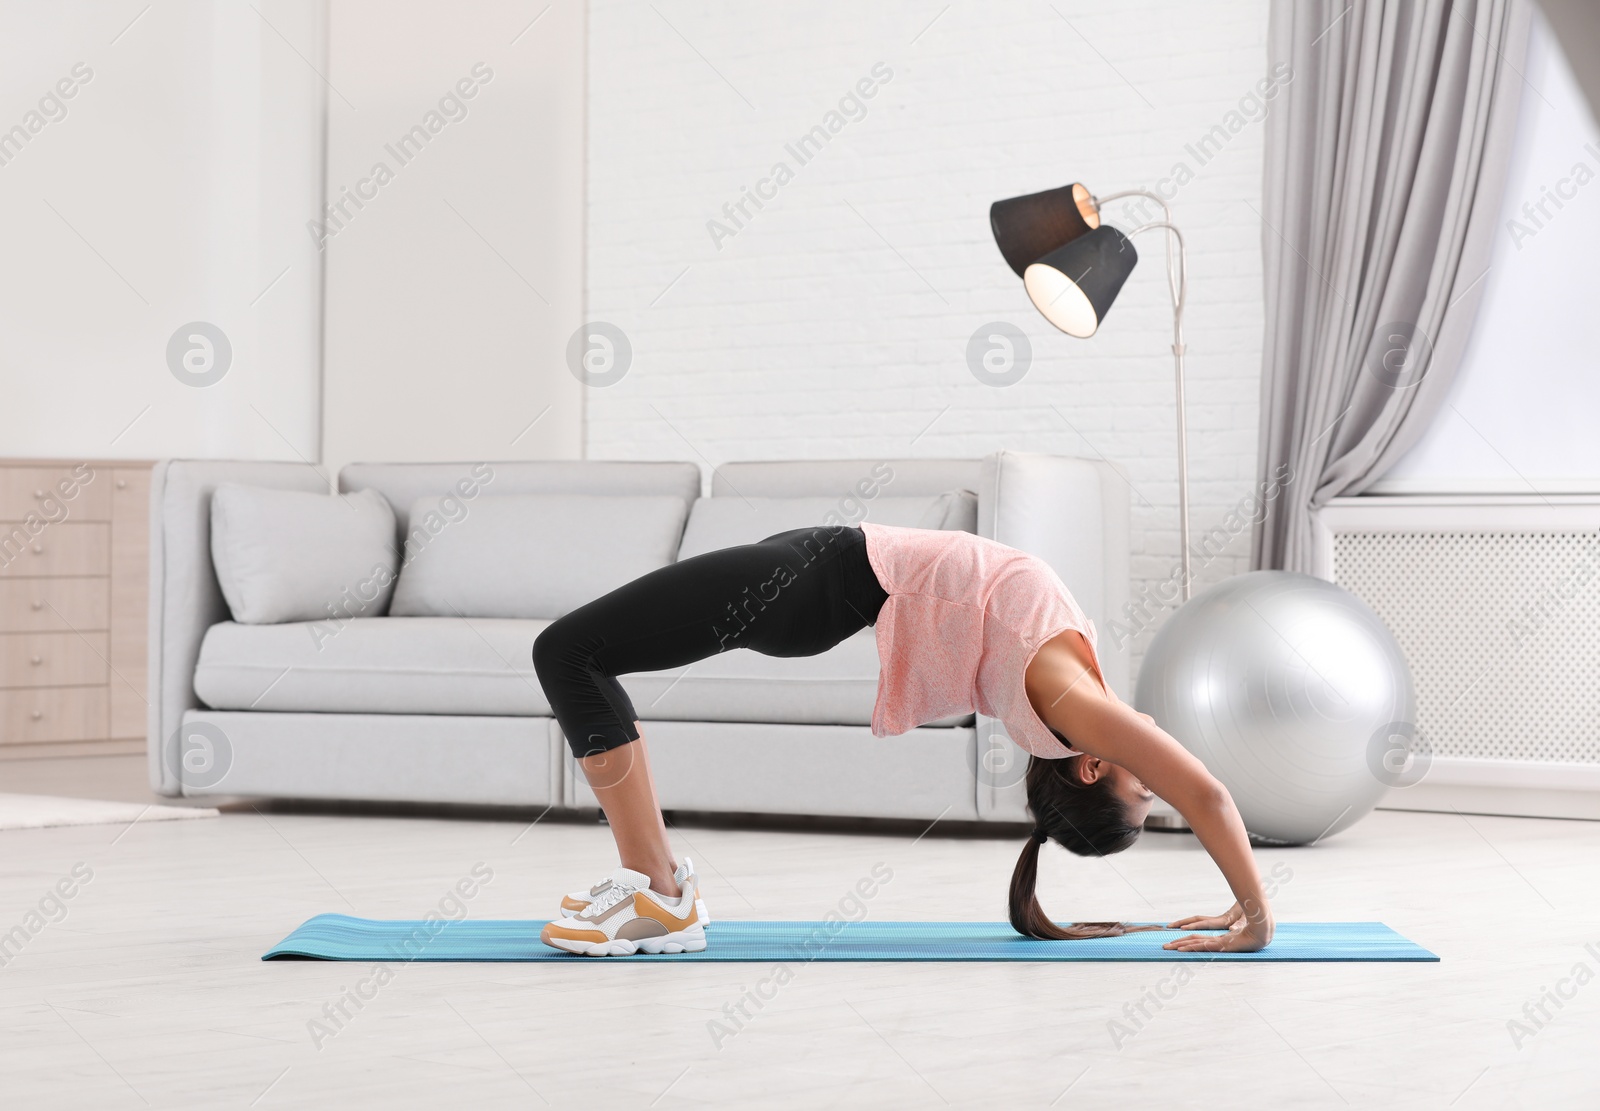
[724, 523]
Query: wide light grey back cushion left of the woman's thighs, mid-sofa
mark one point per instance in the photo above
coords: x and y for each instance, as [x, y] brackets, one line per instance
[530, 556]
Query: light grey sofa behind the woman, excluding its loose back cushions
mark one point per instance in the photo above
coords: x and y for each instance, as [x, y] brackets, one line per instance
[449, 710]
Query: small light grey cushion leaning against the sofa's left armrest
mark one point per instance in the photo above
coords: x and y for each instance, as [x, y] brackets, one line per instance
[298, 556]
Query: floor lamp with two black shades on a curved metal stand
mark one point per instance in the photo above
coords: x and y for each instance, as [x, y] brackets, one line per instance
[1073, 268]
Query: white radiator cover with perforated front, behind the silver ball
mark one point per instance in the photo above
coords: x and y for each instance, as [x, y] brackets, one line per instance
[1497, 604]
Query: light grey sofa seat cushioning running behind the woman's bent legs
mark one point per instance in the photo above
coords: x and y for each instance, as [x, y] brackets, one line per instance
[486, 667]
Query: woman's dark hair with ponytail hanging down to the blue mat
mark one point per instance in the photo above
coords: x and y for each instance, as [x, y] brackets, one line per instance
[1086, 819]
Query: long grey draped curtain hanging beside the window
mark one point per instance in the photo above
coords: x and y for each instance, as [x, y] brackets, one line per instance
[1386, 162]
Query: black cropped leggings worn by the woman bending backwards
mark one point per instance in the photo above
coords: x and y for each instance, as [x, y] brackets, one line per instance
[793, 595]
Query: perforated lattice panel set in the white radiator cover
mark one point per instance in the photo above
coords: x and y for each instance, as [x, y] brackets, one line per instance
[1502, 632]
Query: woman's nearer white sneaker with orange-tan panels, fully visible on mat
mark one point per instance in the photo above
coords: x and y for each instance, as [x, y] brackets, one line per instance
[630, 918]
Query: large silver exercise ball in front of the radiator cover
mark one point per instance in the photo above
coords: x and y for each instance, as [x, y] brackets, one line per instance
[1290, 691]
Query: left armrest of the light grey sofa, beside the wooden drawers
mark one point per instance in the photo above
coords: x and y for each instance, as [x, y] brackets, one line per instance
[185, 595]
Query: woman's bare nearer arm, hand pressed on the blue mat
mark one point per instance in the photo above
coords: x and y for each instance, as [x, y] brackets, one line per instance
[1068, 694]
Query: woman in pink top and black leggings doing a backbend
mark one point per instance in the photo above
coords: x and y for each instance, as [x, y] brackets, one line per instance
[962, 624]
